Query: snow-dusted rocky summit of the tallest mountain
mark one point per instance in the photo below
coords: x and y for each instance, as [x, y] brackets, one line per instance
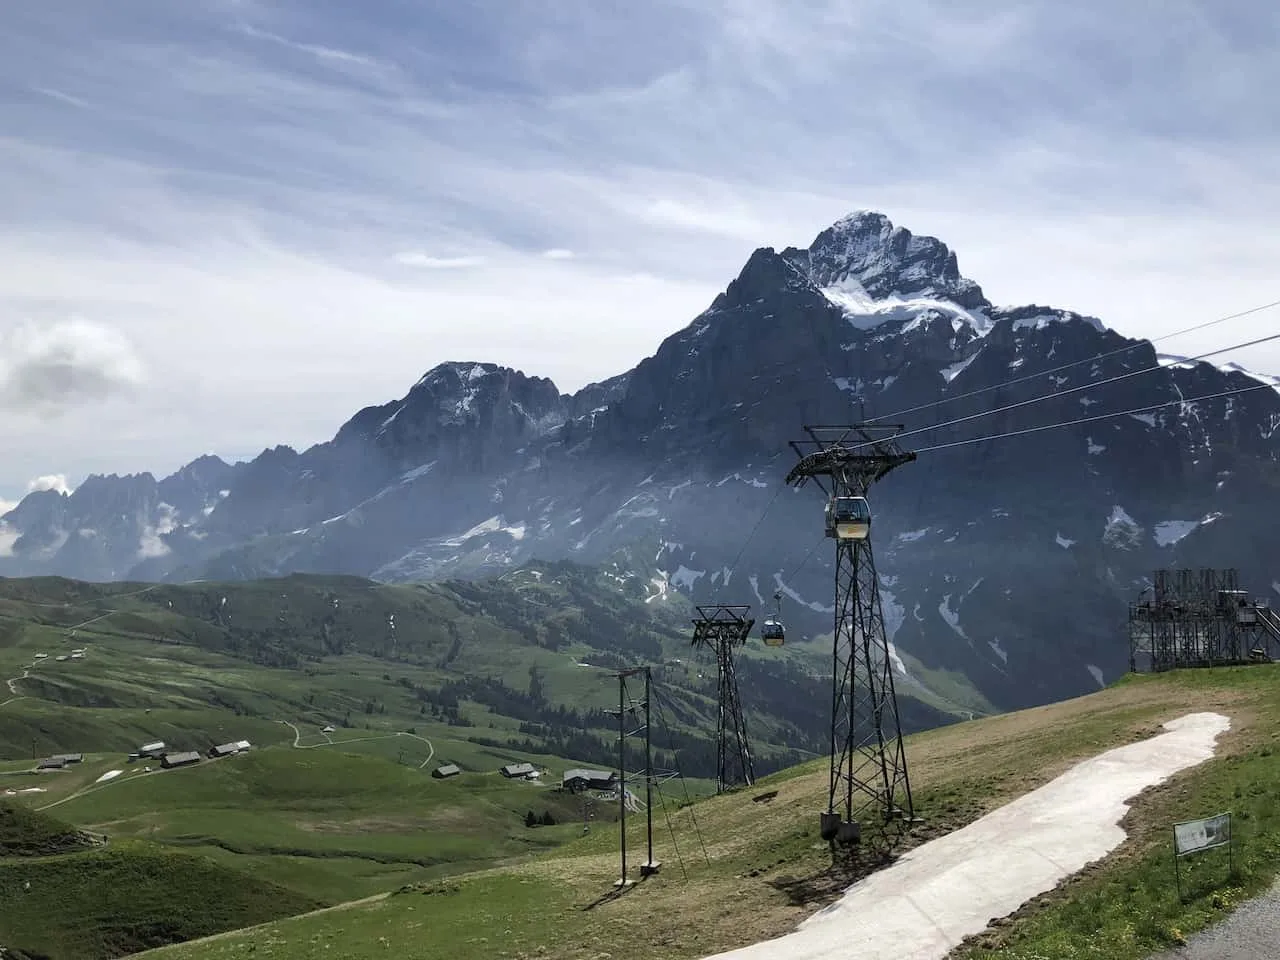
[866, 254]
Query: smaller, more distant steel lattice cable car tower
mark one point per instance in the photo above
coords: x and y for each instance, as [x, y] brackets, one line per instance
[723, 630]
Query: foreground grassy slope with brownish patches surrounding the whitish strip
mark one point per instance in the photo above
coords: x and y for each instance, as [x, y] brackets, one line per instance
[749, 867]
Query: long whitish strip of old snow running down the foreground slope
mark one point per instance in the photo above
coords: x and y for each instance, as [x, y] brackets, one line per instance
[952, 888]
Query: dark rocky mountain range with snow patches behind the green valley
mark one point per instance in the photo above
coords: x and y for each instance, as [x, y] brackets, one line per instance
[1005, 565]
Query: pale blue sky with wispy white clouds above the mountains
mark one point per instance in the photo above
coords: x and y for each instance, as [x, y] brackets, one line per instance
[230, 225]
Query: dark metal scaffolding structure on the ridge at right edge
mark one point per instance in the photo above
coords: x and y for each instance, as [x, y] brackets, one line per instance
[1200, 619]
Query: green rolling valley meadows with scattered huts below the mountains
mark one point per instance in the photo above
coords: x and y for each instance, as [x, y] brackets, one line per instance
[353, 693]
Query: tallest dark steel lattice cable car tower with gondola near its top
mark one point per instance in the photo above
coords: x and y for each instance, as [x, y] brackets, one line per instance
[868, 764]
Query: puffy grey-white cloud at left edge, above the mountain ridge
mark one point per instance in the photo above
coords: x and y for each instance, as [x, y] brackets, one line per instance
[49, 369]
